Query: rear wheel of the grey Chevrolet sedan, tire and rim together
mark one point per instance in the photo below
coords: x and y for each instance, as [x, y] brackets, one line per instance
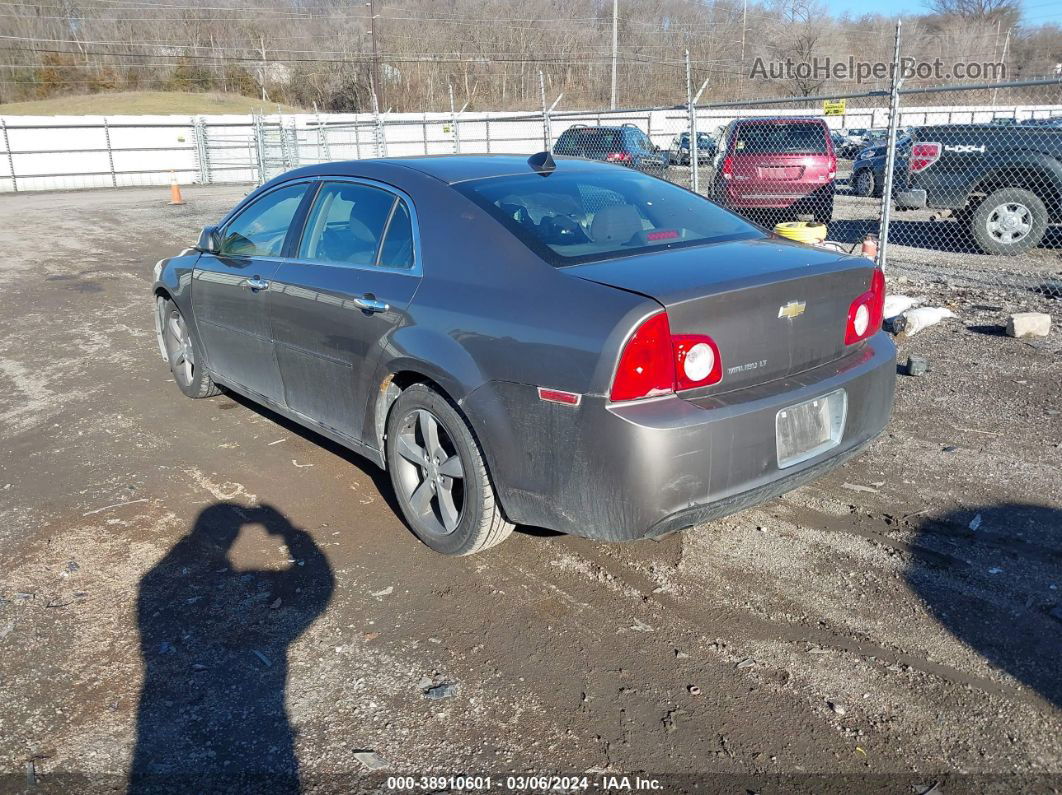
[425, 434]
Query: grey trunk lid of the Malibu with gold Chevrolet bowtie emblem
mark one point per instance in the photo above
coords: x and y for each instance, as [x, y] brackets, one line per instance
[775, 309]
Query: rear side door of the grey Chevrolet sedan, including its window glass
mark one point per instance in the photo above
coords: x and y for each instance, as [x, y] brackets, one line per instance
[335, 304]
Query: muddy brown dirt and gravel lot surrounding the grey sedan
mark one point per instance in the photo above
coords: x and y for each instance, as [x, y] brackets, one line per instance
[199, 587]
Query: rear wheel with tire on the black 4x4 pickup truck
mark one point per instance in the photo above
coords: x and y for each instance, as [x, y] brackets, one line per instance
[1008, 222]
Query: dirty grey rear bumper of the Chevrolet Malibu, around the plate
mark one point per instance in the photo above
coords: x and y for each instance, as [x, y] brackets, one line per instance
[645, 469]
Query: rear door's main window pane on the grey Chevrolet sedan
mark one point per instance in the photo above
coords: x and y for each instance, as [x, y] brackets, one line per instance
[347, 224]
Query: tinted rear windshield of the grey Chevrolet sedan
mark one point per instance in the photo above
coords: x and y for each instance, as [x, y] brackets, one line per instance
[569, 218]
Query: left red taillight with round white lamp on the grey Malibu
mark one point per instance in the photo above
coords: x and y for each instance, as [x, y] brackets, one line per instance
[655, 362]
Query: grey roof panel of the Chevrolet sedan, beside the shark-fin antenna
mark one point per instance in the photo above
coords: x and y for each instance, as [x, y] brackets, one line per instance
[453, 169]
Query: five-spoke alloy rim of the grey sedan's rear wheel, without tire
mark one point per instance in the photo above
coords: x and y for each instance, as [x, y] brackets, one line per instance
[431, 475]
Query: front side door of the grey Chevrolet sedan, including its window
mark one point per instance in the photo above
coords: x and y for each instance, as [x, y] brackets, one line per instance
[230, 289]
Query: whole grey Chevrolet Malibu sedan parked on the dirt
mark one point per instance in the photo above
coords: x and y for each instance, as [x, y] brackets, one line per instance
[522, 341]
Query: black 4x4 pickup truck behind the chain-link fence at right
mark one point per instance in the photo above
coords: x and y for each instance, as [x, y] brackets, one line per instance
[1004, 183]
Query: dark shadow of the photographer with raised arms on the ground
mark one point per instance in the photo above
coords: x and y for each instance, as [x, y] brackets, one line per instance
[215, 645]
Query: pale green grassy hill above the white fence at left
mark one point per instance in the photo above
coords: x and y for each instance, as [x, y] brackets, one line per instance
[133, 103]
